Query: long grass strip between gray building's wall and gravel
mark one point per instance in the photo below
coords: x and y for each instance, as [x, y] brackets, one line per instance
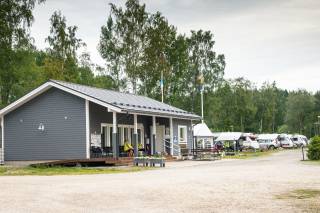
[49, 171]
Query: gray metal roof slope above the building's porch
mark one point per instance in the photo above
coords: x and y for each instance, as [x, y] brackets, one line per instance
[128, 102]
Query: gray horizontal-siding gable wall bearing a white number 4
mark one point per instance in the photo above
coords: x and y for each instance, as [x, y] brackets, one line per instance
[64, 135]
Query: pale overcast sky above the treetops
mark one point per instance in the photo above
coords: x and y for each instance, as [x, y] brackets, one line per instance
[266, 40]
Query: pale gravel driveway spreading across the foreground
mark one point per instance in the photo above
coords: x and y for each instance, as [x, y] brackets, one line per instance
[222, 186]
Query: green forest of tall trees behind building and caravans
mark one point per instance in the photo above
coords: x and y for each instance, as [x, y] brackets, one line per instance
[139, 49]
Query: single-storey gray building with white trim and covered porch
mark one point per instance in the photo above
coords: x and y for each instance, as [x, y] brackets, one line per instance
[61, 120]
